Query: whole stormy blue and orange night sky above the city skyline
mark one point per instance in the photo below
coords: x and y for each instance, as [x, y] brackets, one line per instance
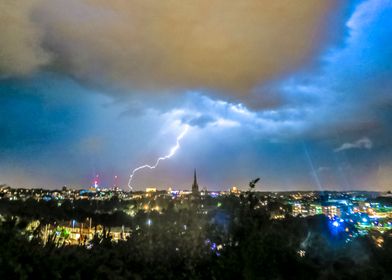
[296, 92]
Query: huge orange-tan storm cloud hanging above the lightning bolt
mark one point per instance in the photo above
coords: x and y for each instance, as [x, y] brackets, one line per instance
[225, 46]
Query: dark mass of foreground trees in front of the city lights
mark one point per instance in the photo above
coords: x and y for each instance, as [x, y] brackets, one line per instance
[237, 240]
